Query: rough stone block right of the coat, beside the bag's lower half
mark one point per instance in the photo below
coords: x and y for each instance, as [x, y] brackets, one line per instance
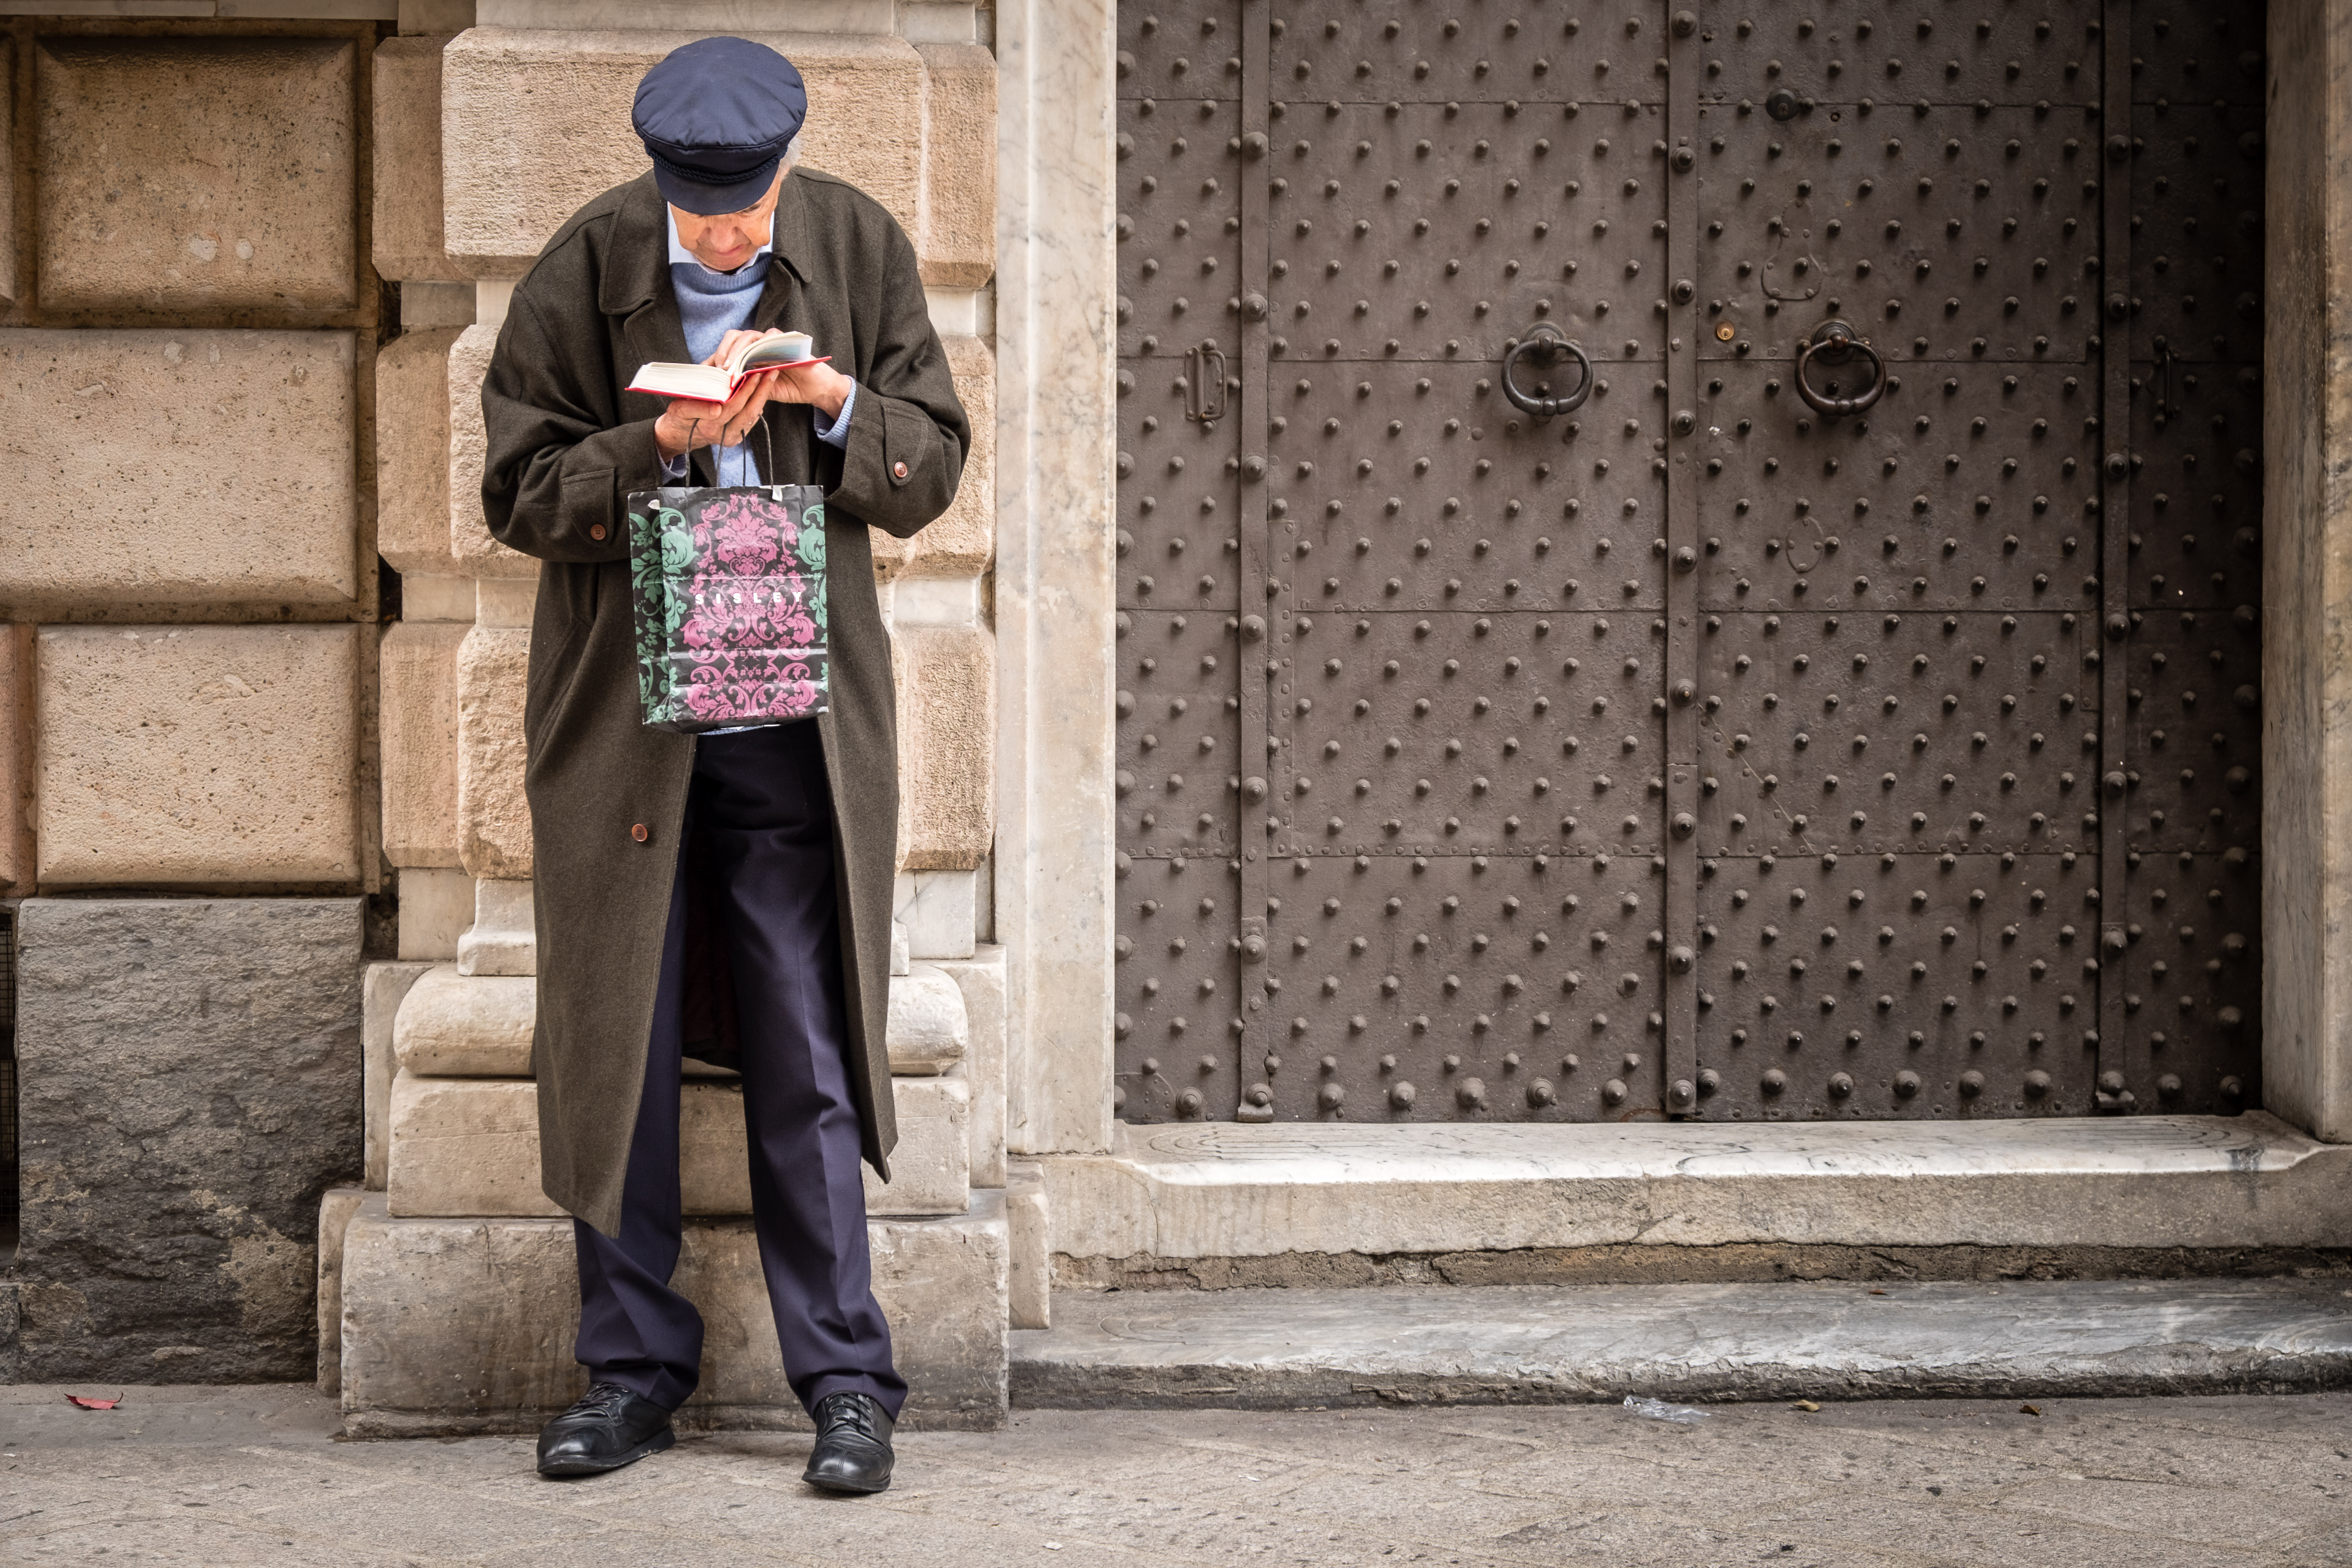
[947, 746]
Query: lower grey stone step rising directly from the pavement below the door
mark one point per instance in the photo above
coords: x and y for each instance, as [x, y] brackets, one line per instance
[1685, 1343]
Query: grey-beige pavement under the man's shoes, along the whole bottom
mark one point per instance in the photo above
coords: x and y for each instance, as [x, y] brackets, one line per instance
[255, 1475]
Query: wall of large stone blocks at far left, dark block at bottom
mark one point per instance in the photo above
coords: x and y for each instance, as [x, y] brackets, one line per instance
[189, 603]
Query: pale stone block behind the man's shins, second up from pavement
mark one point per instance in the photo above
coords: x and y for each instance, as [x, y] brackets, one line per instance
[472, 1148]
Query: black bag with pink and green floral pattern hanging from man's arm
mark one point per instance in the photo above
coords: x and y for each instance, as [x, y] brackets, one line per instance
[730, 591]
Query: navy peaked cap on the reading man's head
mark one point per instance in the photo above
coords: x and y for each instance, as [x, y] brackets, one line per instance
[716, 119]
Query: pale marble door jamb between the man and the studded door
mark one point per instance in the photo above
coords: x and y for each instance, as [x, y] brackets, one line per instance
[1055, 554]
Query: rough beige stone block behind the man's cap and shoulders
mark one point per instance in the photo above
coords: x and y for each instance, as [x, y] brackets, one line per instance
[535, 123]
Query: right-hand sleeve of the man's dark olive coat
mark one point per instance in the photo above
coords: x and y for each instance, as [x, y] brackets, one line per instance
[907, 429]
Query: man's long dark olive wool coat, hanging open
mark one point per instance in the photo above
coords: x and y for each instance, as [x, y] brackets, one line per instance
[608, 796]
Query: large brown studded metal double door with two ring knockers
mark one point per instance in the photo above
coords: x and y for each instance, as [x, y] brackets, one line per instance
[1742, 716]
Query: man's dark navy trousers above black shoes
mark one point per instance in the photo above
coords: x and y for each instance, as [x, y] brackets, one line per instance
[766, 815]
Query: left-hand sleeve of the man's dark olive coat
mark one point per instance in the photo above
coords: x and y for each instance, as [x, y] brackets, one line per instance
[556, 467]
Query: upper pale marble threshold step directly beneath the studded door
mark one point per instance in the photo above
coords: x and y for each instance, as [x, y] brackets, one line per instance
[1165, 1202]
